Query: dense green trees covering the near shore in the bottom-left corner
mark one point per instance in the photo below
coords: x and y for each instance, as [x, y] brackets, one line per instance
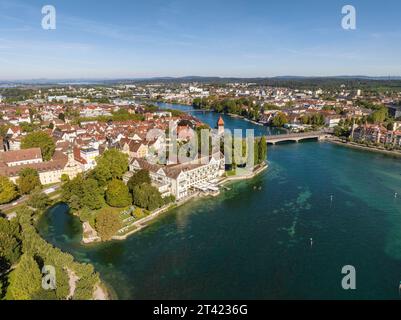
[24, 280]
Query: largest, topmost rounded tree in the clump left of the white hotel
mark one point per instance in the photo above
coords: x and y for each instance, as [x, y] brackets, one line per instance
[112, 164]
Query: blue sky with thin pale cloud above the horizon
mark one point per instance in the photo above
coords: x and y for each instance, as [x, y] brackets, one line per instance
[244, 38]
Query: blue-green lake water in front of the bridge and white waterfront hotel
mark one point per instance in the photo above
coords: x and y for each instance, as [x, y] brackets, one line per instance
[256, 244]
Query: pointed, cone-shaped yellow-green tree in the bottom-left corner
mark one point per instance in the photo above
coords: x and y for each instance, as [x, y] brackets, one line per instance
[25, 280]
